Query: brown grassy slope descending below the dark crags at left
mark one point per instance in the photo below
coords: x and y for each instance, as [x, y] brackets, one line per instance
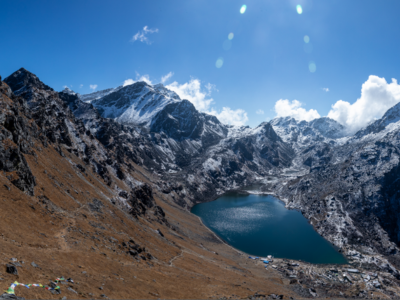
[66, 235]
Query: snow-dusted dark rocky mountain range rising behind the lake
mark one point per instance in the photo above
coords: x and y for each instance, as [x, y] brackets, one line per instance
[143, 140]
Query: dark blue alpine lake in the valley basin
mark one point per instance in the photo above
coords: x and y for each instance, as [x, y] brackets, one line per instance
[260, 225]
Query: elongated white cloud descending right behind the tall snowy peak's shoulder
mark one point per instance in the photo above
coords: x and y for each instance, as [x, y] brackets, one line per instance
[202, 101]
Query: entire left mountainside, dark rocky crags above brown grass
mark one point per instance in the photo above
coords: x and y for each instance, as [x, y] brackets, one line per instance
[69, 209]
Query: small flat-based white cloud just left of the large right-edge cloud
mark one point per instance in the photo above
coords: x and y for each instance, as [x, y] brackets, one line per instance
[285, 108]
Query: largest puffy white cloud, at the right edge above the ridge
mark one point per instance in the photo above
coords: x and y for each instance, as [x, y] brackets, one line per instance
[377, 96]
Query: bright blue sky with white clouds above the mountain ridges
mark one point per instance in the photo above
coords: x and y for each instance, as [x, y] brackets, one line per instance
[91, 42]
